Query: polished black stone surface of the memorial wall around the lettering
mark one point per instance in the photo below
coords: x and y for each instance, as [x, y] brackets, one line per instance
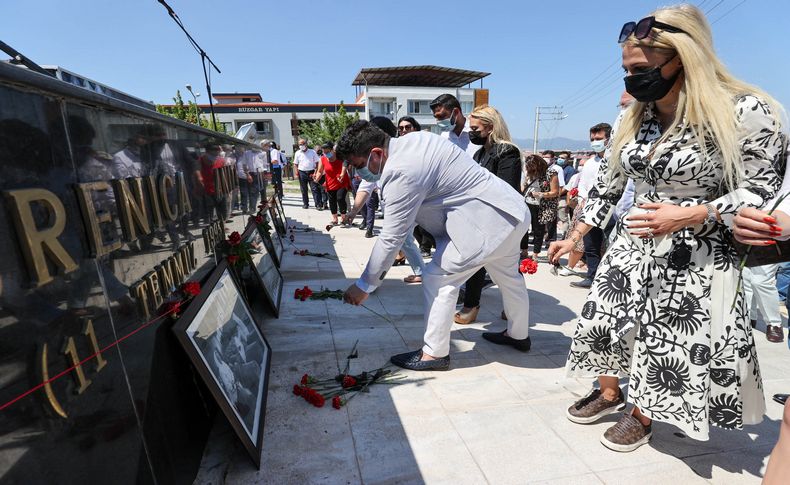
[139, 413]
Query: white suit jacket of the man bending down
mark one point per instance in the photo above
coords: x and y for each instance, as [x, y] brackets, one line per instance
[468, 210]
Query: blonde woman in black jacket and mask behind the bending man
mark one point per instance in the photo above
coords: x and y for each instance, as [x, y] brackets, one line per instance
[500, 156]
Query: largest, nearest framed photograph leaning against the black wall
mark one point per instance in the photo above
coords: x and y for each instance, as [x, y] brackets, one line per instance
[224, 343]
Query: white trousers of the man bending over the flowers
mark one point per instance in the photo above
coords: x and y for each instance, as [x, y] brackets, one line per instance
[440, 291]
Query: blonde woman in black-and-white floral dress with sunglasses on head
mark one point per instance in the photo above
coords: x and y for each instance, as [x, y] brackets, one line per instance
[700, 145]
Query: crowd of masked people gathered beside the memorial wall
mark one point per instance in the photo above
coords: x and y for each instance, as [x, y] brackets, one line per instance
[648, 221]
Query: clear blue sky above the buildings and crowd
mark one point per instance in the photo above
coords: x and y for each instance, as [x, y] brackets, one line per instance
[539, 53]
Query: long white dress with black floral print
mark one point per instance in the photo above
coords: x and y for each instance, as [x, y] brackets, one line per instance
[661, 310]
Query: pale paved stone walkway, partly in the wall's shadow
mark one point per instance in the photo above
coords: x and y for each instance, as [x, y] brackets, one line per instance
[498, 416]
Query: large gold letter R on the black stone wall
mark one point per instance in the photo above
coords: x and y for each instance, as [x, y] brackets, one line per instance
[40, 246]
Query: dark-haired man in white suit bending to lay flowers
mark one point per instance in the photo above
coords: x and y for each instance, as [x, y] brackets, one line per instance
[476, 218]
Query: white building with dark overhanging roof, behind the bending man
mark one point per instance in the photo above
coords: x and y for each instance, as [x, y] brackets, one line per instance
[408, 90]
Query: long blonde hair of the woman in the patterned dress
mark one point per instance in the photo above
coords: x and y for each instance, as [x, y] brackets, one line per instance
[707, 96]
